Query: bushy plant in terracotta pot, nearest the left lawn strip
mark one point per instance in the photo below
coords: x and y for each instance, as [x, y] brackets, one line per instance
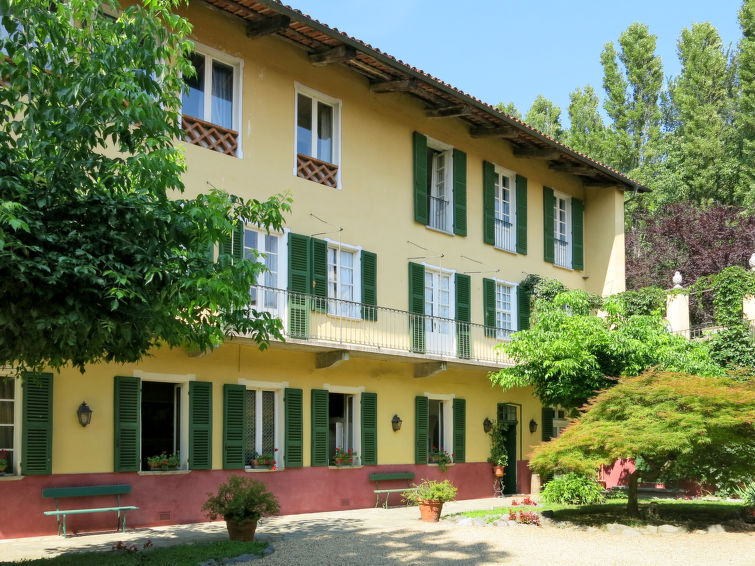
[241, 502]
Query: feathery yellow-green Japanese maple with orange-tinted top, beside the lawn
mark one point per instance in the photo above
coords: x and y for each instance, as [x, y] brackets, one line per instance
[674, 425]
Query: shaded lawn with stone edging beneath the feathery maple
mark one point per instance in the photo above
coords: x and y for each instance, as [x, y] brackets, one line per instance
[682, 513]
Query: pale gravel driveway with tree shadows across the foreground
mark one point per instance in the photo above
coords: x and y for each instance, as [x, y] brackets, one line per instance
[397, 536]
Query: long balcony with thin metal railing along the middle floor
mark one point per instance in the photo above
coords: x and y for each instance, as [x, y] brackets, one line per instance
[344, 325]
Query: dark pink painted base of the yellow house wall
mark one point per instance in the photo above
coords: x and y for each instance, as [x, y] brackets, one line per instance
[165, 499]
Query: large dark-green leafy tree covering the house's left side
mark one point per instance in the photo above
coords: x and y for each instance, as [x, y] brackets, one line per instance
[101, 258]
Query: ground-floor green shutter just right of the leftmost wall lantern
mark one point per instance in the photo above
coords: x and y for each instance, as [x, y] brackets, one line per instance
[127, 443]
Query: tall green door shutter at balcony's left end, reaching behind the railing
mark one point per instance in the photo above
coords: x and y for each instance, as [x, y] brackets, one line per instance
[299, 282]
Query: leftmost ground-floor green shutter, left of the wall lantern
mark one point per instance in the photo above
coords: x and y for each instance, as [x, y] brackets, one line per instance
[36, 425]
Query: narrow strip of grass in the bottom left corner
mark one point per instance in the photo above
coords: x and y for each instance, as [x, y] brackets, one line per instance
[177, 555]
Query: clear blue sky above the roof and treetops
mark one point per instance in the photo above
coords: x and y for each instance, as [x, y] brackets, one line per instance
[513, 50]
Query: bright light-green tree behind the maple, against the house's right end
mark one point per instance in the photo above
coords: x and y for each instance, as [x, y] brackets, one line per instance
[569, 354]
